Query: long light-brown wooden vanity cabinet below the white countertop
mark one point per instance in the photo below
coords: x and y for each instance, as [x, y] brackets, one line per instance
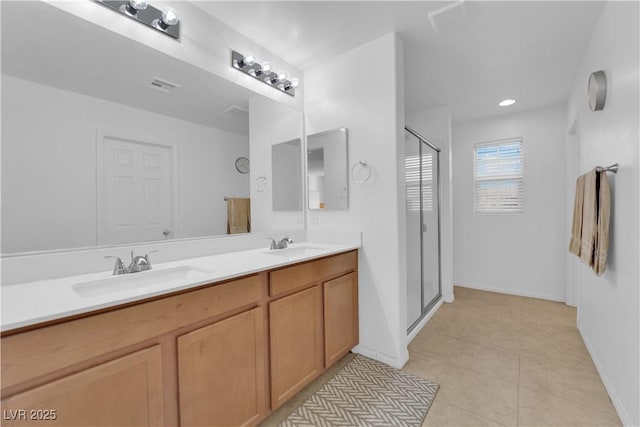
[226, 352]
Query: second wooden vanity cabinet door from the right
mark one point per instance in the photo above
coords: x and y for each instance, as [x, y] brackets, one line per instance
[296, 343]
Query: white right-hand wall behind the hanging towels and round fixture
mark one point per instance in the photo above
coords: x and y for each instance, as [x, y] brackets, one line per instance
[609, 305]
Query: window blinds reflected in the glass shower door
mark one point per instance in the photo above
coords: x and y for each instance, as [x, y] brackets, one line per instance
[412, 180]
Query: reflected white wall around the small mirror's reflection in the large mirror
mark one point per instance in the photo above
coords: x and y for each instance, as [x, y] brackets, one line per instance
[271, 123]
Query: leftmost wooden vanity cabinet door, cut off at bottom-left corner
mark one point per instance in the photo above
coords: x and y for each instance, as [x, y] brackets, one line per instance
[123, 392]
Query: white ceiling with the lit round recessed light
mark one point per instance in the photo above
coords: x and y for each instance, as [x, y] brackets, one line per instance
[466, 55]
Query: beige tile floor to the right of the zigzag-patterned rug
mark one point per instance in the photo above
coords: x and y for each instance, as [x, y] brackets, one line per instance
[508, 360]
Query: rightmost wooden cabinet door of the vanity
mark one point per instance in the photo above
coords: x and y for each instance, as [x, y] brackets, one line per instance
[340, 317]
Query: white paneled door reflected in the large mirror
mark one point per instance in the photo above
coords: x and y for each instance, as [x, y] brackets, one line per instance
[135, 196]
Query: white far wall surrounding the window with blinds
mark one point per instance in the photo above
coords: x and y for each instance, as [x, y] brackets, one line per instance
[520, 254]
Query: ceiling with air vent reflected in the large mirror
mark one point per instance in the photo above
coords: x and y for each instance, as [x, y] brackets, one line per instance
[43, 44]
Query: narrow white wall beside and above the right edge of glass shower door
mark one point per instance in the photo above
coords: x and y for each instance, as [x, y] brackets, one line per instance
[435, 125]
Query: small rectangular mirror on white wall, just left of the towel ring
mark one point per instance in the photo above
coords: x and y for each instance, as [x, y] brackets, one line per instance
[327, 175]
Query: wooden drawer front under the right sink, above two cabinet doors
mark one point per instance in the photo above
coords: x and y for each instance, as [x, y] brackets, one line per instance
[291, 278]
